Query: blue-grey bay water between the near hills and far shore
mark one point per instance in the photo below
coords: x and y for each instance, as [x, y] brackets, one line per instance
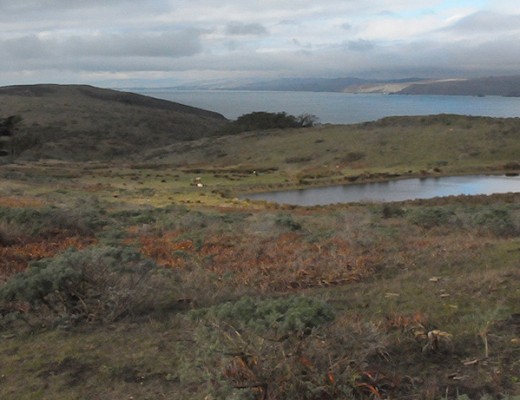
[338, 108]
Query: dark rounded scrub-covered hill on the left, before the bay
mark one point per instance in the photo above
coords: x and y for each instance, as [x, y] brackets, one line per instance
[77, 122]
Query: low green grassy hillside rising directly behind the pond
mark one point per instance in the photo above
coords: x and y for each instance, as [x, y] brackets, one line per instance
[397, 145]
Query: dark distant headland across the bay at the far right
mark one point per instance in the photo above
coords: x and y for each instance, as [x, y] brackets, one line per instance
[490, 86]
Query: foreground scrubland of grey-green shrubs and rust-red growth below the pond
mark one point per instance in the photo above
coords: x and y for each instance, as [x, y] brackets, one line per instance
[401, 300]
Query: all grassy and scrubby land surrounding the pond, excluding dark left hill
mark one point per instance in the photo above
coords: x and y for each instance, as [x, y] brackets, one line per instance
[129, 281]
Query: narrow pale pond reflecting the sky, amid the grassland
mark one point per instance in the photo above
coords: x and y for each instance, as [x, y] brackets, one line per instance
[395, 190]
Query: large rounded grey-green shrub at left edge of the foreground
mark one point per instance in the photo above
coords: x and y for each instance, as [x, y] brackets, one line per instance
[96, 284]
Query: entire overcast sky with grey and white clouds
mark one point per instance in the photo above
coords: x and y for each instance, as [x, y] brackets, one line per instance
[119, 42]
